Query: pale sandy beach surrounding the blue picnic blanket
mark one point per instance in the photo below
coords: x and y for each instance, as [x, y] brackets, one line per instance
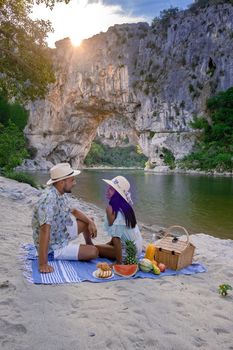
[172, 313]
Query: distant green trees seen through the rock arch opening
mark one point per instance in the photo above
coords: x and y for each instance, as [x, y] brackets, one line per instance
[100, 154]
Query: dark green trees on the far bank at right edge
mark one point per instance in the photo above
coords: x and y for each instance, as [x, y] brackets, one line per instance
[214, 150]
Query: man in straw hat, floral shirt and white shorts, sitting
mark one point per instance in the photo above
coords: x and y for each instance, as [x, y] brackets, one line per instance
[55, 223]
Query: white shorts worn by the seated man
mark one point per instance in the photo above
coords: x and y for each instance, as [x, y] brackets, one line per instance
[69, 252]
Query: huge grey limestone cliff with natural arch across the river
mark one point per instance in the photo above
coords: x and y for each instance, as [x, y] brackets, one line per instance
[154, 79]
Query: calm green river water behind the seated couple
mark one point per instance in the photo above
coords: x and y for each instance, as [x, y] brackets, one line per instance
[197, 202]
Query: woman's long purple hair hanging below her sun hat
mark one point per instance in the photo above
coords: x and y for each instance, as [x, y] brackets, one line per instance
[117, 203]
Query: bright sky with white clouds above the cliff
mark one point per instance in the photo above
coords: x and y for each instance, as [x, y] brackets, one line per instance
[81, 19]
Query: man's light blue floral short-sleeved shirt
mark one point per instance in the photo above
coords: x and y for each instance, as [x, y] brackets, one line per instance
[53, 209]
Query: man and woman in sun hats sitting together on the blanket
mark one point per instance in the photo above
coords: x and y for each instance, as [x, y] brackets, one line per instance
[55, 224]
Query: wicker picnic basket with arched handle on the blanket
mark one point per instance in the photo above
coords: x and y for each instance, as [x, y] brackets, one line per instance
[174, 252]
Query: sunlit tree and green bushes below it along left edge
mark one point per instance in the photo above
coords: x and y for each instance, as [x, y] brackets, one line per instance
[25, 72]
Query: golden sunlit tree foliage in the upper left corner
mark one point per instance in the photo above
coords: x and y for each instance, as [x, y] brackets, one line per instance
[25, 60]
